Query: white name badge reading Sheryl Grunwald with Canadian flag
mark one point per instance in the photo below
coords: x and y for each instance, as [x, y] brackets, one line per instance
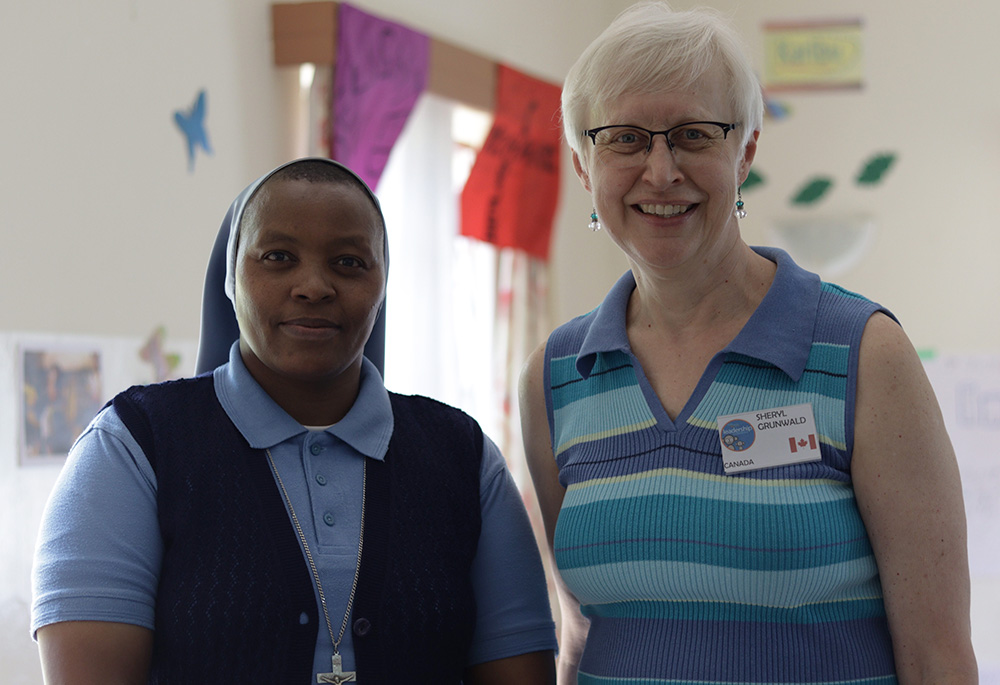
[771, 437]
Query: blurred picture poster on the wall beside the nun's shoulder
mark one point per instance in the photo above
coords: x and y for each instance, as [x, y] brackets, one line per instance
[60, 392]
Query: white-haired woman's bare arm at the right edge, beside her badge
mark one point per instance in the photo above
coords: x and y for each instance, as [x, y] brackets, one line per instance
[908, 490]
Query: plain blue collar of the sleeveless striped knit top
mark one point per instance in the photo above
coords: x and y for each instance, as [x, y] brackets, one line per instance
[779, 331]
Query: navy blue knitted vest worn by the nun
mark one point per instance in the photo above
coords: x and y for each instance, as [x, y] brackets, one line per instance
[235, 601]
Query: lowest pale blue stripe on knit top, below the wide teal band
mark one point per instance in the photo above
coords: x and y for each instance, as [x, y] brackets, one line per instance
[609, 583]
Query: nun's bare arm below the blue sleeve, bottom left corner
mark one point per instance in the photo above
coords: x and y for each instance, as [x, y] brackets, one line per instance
[95, 653]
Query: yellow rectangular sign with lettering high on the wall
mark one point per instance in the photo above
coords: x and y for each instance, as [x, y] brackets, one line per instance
[813, 55]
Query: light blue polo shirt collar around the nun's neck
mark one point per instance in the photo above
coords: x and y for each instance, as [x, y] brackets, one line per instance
[367, 426]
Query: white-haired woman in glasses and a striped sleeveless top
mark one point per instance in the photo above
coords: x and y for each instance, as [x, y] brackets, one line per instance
[742, 470]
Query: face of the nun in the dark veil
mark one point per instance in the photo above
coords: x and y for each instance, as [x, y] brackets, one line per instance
[310, 277]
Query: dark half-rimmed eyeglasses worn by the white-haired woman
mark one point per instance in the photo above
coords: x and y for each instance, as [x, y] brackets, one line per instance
[624, 146]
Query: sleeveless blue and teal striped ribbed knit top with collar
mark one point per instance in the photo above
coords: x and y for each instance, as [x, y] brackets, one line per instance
[689, 575]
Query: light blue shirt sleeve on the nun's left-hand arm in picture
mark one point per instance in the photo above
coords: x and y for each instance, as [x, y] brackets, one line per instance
[99, 547]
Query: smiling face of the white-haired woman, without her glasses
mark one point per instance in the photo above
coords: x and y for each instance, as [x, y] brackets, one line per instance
[670, 210]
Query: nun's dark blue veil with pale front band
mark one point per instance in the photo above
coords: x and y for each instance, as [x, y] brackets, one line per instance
[218, 318]
